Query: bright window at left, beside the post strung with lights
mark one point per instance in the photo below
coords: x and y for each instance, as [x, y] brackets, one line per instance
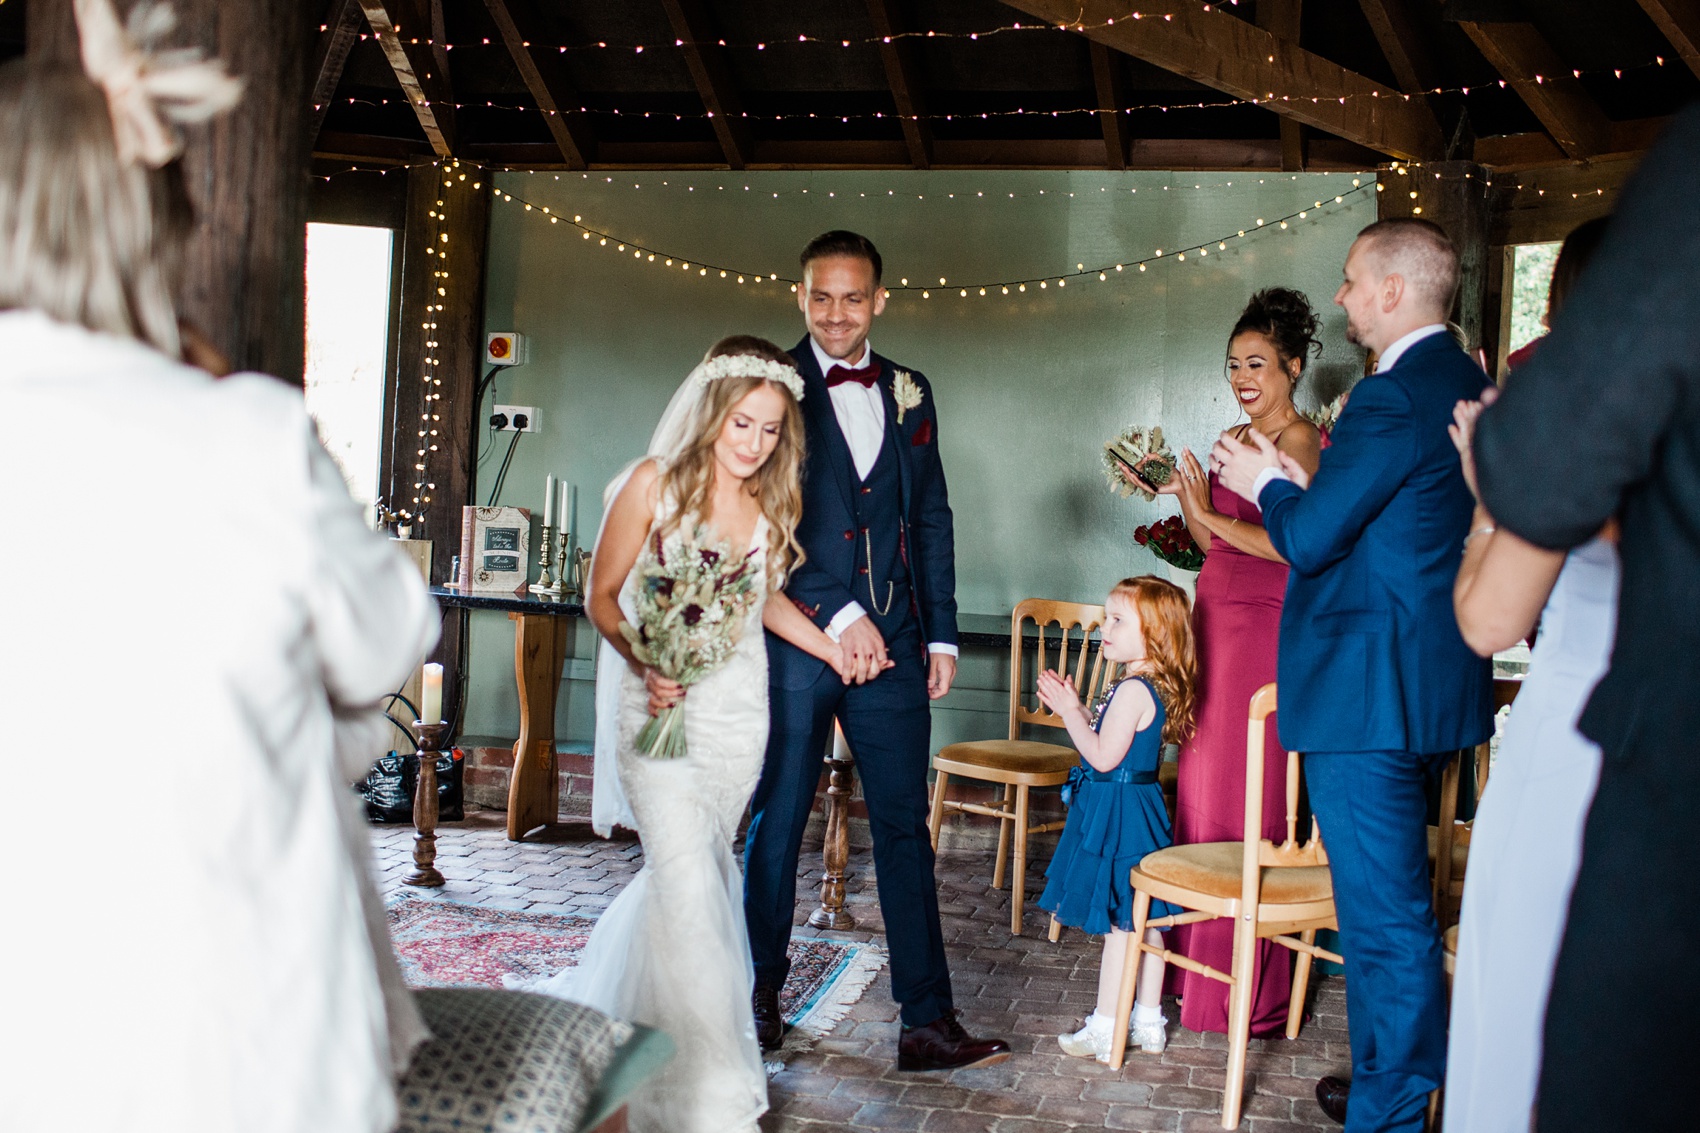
[348, 343]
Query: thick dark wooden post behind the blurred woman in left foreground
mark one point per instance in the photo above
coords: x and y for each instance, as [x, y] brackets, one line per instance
[244, 276]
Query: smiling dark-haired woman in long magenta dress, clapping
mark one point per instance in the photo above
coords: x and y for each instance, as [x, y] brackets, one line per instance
[1237, 623]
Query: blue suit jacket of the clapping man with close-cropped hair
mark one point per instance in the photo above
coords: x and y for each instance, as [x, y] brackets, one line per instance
[1371, 656]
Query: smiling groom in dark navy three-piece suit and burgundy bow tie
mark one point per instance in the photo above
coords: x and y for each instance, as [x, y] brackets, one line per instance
[881, 581]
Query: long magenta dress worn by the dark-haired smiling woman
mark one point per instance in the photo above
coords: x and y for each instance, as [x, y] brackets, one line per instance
[1237, 625]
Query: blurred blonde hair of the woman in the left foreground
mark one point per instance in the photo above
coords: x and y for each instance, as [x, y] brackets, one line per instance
[86, 237]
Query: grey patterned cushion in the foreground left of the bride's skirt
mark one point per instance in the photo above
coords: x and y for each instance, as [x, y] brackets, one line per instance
[506, 1062]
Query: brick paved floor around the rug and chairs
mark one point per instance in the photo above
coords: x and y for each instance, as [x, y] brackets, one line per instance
[1023, 989]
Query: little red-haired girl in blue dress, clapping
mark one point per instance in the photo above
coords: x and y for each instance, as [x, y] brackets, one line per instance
[1116, 807]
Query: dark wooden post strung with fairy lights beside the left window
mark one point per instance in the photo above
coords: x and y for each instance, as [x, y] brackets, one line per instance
[438, 351]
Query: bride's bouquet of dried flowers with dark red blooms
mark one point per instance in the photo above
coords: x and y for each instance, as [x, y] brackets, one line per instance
[693, 603]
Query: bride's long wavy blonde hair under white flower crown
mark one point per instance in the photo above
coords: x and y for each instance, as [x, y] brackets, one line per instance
[689, 479]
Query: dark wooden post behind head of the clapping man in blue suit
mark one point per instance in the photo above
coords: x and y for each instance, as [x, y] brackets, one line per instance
[1456, 196]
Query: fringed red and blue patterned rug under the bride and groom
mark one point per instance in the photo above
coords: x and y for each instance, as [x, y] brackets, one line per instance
[450, 945]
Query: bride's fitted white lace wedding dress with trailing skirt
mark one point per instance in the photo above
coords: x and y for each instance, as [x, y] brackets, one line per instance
[672, 950]
